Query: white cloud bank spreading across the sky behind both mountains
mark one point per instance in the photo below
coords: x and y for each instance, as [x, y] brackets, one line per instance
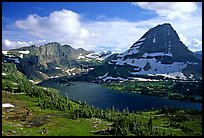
[66, 27]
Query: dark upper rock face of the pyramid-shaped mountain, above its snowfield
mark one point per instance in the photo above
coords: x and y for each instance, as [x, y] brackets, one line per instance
[162, 38]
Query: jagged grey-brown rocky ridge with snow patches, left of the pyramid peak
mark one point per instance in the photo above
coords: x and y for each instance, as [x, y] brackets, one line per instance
[53, 60]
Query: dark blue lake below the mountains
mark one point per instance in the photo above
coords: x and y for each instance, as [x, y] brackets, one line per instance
[102, 97]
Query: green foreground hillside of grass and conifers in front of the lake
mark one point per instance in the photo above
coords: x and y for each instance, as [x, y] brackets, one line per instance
[43, 111]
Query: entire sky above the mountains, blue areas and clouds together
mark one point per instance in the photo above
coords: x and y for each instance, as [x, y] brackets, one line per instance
[97, 26]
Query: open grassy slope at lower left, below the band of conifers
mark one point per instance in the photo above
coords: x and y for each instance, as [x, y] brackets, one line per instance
[56, 124]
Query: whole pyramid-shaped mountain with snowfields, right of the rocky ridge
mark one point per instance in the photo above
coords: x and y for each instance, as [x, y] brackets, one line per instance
[158, 52]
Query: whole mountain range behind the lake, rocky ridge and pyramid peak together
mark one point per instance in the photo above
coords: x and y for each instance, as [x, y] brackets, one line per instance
[159, 53]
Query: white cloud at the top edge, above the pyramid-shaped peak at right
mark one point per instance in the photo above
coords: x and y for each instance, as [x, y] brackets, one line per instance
[171, 10]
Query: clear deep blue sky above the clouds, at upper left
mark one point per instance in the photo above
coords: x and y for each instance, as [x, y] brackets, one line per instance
[123, 10]
